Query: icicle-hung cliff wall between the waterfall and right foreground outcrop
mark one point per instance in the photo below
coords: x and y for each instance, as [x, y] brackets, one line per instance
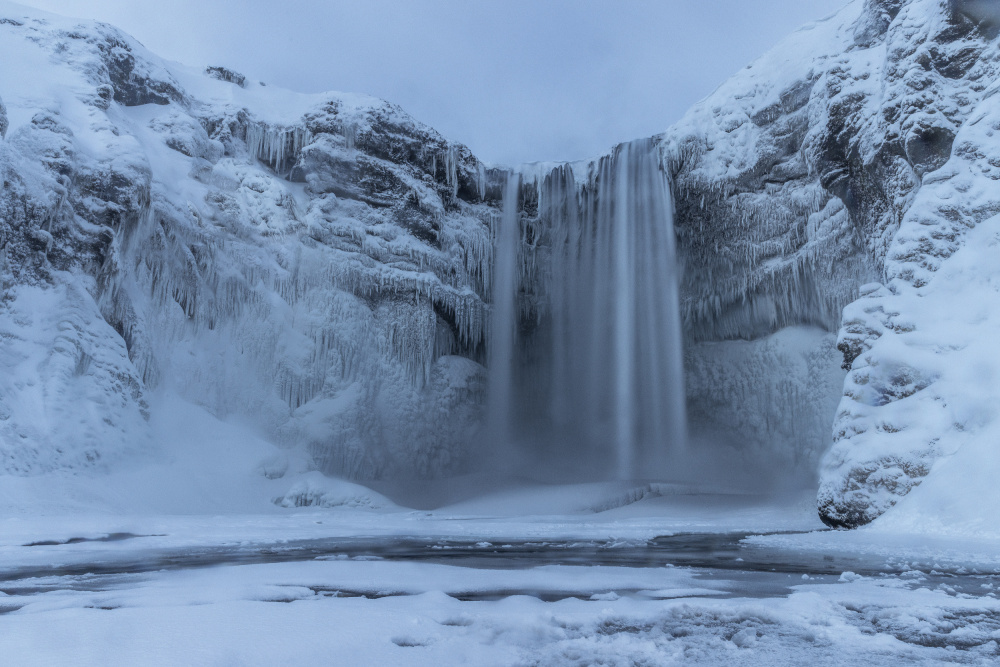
[771, 257]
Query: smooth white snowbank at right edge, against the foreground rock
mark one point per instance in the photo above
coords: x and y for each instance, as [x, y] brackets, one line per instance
[960, 405]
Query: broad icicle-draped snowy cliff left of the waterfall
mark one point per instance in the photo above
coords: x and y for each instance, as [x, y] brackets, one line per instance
[316, 264]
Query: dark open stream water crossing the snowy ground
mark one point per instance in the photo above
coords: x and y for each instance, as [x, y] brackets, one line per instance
[722, 560]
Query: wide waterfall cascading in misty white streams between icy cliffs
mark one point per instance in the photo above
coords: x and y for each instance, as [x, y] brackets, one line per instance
[596, 379]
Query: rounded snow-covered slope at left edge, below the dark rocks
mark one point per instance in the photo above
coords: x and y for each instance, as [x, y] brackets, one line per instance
[65, 379]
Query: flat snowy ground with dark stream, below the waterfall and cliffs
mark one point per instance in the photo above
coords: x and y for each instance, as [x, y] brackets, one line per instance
[507, 579]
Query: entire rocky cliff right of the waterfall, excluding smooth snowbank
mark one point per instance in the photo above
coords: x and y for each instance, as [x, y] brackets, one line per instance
[853, 156]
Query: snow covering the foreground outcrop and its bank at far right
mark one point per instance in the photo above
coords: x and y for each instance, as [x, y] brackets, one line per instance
[920, 390]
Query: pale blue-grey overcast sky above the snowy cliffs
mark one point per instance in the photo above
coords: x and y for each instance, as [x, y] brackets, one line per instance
[515, 80]
